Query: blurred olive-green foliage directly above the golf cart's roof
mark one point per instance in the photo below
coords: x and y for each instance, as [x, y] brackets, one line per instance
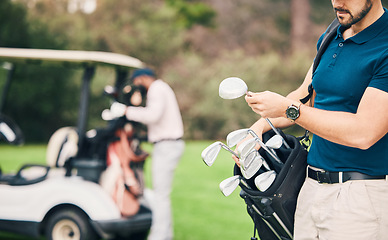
[150, 30]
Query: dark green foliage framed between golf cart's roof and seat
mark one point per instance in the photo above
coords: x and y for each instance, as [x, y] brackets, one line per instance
[41, 100]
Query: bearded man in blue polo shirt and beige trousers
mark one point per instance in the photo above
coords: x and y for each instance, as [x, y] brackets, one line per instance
[345, 195]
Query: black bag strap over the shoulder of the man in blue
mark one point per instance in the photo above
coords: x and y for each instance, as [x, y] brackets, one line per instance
[330, 33]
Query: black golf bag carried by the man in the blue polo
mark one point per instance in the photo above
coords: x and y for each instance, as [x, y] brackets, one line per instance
[272, 210]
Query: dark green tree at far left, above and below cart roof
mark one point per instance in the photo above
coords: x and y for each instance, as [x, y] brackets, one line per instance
[41, 98]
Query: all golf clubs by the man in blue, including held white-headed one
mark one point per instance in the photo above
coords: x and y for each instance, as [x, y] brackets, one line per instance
[250, 160]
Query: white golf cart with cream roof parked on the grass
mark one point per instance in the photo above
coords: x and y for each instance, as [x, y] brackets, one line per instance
[65, 199]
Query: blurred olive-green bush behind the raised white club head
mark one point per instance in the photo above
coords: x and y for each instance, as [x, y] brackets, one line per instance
[196, 80]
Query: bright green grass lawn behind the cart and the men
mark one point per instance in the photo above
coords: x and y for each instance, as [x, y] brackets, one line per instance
[200, 210]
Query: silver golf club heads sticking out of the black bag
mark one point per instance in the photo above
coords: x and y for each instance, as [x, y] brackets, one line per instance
[249, 158]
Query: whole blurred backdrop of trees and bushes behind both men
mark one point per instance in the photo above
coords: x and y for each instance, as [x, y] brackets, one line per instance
[192, 44]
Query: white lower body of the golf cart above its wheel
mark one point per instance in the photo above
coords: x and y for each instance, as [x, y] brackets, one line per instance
[27, 205]
